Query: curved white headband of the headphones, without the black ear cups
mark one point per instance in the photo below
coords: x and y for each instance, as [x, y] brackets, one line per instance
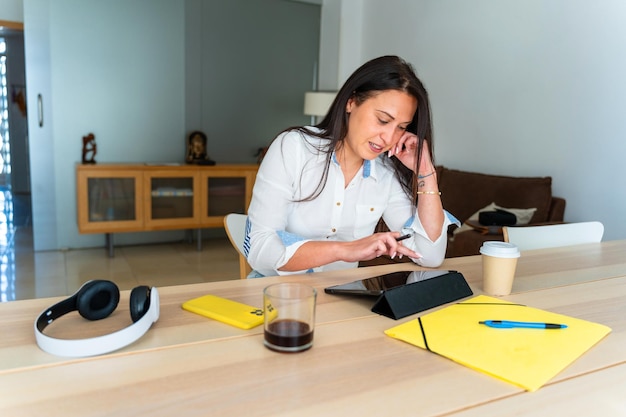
[96, 345]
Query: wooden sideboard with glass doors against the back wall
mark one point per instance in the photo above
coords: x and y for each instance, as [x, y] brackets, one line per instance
[114, 198]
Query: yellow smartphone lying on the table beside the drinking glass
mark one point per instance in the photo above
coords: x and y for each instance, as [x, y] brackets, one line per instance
[225, 310]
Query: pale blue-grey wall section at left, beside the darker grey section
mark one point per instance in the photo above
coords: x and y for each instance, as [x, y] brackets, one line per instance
[107, 76]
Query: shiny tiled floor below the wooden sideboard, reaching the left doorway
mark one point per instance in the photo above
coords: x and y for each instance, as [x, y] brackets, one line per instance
[27, 274]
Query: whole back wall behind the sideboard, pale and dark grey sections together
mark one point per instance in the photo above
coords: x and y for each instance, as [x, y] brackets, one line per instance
[118, 69]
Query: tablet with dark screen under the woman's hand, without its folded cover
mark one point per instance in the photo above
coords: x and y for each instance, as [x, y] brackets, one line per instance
[375, 286]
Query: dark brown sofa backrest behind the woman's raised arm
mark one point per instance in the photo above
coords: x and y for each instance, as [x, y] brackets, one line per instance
[464, 193]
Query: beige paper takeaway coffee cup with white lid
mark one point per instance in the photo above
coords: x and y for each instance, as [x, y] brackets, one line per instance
[499, 263]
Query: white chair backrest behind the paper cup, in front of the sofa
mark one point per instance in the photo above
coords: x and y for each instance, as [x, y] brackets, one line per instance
[553, 235]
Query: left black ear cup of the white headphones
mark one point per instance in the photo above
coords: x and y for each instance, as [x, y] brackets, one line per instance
[97, 299]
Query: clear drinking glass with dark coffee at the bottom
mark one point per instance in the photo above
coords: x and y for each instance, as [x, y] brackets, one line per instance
[289, 310]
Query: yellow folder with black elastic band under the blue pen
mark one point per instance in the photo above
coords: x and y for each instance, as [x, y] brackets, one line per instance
[525, 357]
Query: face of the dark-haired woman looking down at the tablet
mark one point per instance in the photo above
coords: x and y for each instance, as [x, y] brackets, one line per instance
[378, 123]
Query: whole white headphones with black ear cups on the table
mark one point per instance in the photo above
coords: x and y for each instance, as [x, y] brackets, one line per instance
[96, 300]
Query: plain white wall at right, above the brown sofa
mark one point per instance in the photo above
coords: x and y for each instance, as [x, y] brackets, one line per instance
[520, 87]
